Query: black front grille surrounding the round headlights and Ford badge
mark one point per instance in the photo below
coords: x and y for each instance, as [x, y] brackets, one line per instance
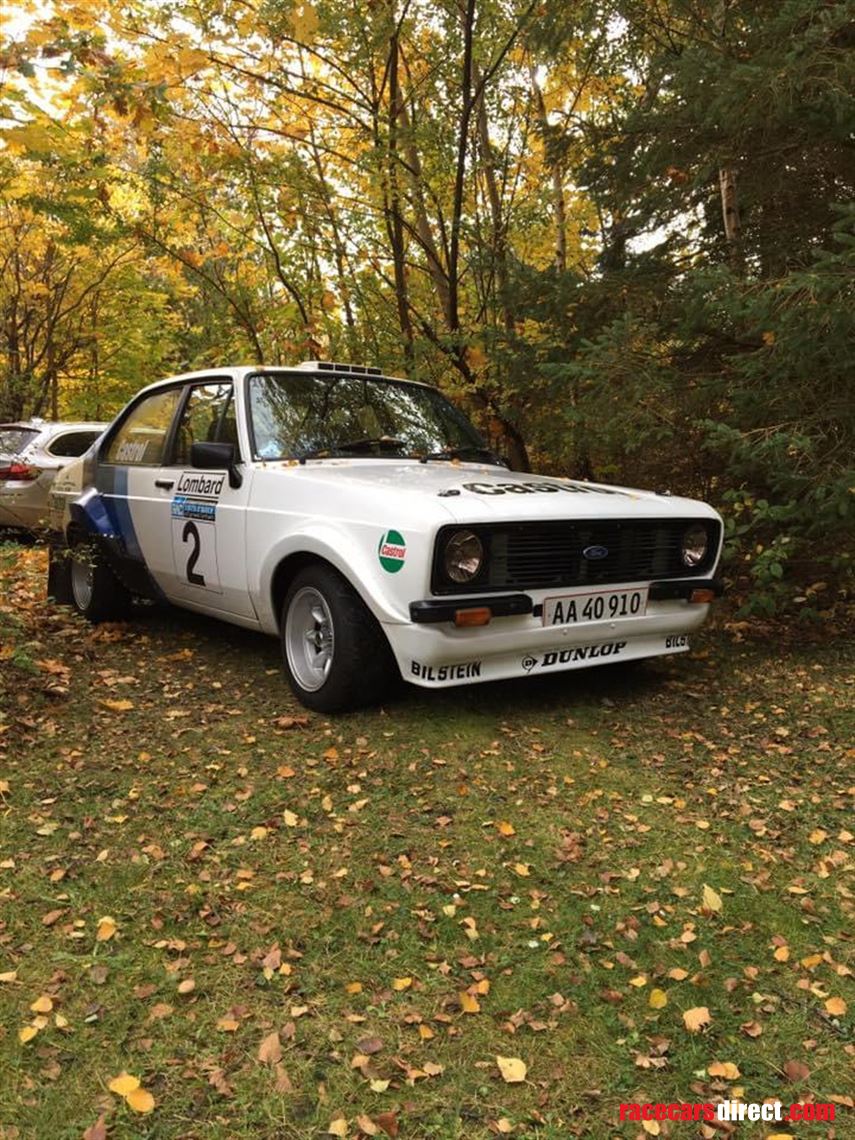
[542, 556]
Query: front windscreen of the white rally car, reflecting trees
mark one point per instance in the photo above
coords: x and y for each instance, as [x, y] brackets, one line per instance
[316, 414]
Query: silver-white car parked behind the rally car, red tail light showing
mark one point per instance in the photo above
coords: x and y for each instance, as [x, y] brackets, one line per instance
[31, 453]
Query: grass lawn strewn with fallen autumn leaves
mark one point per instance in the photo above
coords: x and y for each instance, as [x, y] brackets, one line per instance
[287, 927]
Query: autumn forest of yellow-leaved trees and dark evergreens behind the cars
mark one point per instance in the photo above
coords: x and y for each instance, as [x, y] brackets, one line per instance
[621, 233]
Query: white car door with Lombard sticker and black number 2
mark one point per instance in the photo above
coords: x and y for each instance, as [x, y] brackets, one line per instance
[208, 512]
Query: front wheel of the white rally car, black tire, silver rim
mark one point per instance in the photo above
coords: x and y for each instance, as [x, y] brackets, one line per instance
[362, 670]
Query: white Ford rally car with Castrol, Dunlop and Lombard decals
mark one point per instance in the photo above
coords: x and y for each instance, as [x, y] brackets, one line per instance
[362, 520]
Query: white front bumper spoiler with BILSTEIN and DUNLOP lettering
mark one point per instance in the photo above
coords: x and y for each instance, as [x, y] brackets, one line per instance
[433, 653]
